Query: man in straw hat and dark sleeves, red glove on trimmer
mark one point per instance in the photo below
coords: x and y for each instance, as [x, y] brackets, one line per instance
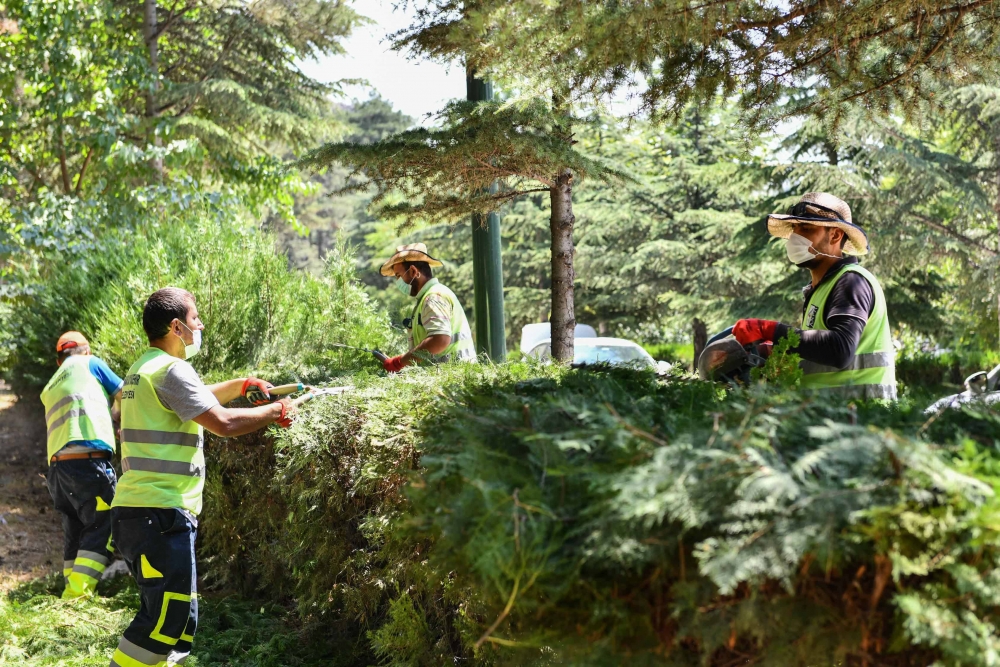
[846, 343]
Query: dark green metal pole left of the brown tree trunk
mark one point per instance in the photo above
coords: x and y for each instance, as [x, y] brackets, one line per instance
[487, 267]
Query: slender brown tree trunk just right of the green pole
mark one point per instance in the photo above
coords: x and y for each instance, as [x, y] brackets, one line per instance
[563, 318]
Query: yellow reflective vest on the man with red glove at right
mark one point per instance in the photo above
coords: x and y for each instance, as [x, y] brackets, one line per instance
[871, 373]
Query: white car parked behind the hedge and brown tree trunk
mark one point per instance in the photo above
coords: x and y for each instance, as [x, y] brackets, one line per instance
[589, 348]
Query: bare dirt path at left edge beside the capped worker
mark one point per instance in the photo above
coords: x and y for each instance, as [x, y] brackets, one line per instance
[30, 531]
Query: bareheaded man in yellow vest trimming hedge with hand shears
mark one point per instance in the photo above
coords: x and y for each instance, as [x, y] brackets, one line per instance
[165, 407]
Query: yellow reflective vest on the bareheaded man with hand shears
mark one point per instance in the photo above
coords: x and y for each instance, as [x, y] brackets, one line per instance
[163, 458]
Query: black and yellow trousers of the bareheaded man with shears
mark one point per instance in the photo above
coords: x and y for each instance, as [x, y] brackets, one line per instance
[158, 546]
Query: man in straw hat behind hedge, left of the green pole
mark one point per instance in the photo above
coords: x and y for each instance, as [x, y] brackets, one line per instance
[439, 330]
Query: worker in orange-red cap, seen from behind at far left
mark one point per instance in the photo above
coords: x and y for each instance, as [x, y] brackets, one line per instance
[81, 403]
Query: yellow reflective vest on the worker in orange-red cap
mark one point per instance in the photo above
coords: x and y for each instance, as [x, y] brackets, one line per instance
[76, 406]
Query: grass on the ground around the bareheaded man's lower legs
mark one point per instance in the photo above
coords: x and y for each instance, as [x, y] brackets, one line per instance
[37, 628]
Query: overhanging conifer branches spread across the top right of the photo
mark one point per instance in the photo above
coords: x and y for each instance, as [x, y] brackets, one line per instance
[670, 53]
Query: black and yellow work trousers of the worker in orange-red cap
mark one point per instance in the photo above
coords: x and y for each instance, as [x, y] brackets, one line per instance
[82, 491]
